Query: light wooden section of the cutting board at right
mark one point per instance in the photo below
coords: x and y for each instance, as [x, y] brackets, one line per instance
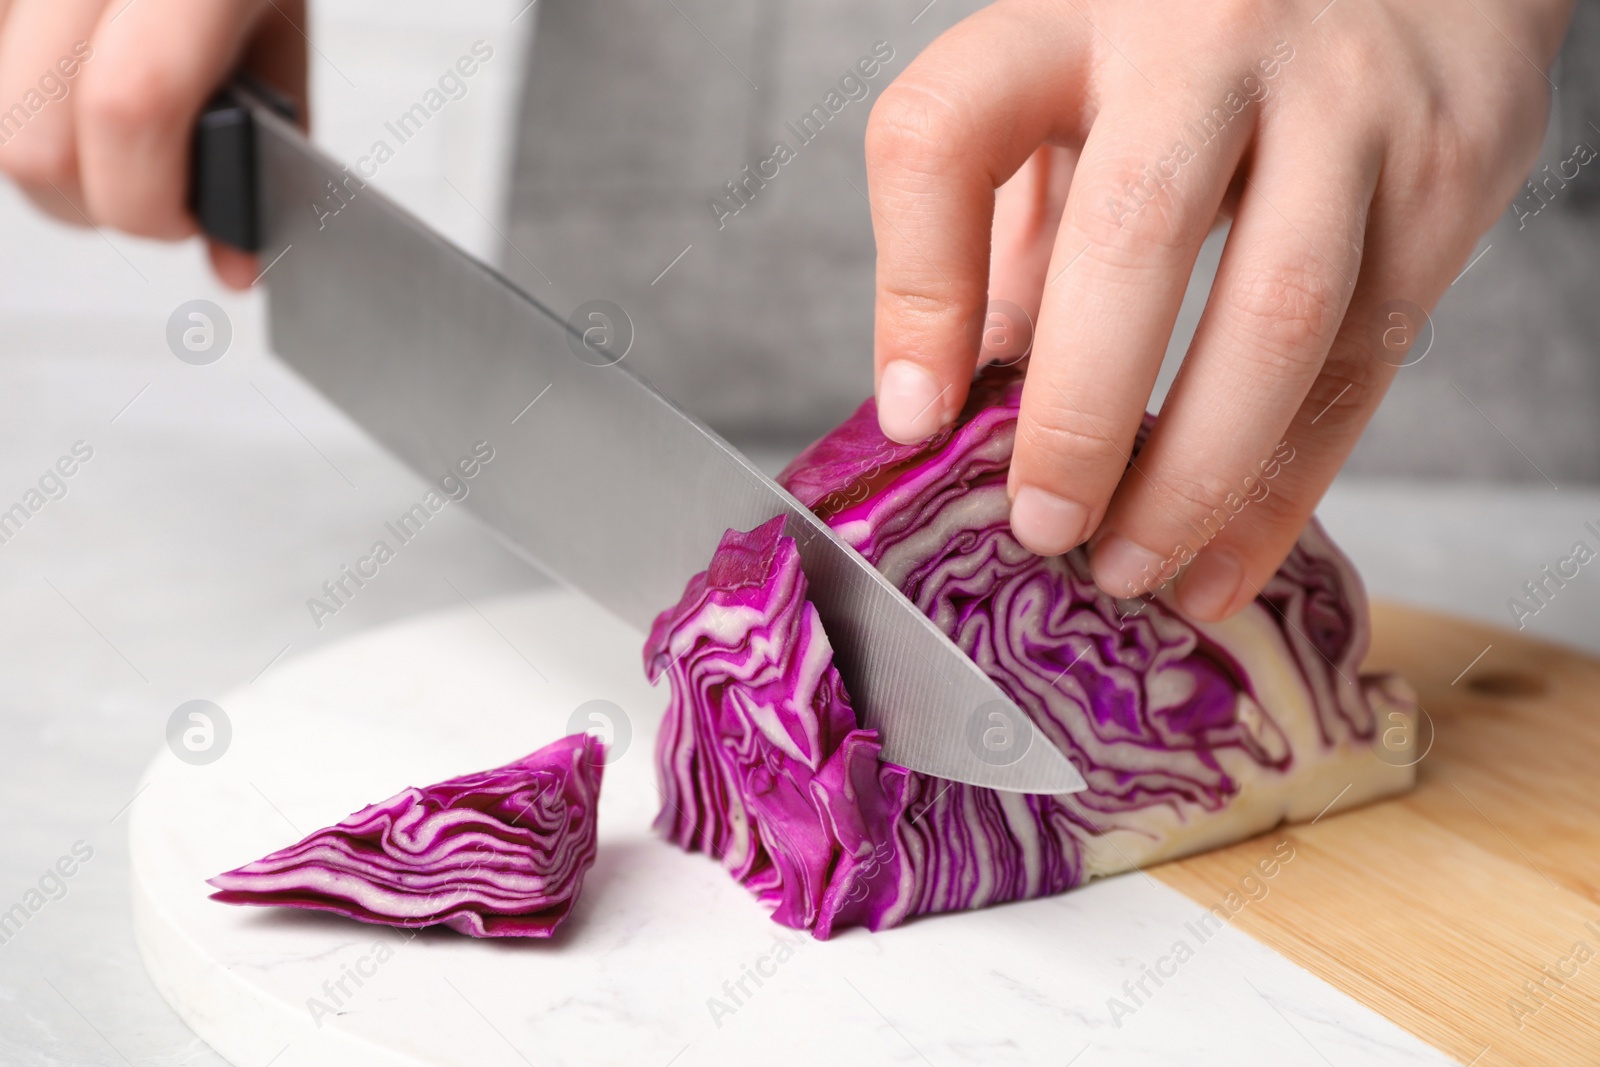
[1468, 911]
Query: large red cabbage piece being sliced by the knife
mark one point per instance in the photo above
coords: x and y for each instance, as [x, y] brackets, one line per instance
[1190, 735]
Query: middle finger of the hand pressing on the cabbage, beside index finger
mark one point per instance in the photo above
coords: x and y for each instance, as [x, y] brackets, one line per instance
[1143, 198]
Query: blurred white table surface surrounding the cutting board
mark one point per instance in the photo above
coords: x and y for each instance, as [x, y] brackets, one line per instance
[217, 503]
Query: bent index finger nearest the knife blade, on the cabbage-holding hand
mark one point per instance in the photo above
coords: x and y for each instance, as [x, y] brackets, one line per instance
[959, 122]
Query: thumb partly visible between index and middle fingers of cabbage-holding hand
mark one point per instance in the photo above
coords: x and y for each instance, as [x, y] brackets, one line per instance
[1028, 217]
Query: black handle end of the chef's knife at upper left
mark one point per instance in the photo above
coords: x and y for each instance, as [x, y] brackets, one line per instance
[225, 182]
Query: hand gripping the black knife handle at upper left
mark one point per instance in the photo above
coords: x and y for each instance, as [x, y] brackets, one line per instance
[98, 102]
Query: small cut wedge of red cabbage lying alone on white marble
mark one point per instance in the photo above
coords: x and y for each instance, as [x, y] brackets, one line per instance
[498, 853]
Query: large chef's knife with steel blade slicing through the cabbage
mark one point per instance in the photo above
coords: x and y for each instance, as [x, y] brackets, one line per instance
[598, 479]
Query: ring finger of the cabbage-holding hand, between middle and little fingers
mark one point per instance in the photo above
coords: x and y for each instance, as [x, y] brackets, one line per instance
[1281, 294]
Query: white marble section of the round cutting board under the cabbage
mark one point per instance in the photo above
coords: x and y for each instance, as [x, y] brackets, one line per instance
[658, 933]
